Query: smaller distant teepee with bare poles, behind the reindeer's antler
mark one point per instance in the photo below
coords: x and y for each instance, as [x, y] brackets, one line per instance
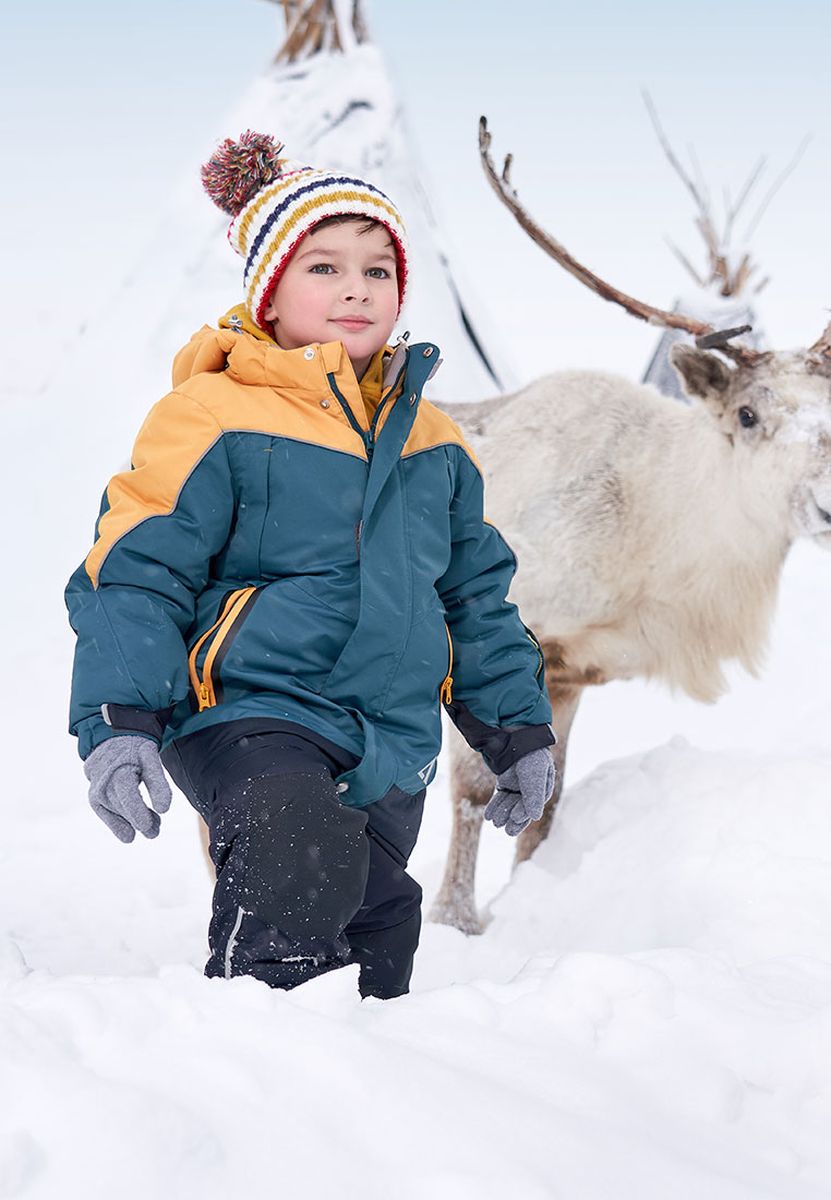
[722, 295]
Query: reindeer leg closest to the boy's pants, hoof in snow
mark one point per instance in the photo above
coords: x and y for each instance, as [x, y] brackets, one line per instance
[473, 785]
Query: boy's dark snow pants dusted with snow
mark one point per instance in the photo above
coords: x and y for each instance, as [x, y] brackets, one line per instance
[304, 884]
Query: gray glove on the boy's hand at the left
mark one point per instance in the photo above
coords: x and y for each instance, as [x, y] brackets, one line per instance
[115, 770]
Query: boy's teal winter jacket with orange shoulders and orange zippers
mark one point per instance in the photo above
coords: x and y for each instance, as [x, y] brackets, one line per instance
[276, 554]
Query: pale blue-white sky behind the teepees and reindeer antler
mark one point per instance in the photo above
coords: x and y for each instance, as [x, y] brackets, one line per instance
[103, 103]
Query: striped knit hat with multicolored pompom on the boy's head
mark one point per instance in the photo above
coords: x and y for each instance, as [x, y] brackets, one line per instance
[276, 202]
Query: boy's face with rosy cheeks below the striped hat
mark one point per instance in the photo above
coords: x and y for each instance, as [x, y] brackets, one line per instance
[342, 286]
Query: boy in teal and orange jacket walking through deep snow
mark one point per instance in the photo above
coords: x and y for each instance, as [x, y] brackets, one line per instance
[288, 585]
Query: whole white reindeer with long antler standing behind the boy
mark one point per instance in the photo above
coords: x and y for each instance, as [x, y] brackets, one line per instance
[651, 535]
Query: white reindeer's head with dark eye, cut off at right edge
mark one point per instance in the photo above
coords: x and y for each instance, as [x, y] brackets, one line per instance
[775, 411]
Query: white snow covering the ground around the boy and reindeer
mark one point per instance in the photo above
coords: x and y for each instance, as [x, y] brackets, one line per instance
[648, 1013]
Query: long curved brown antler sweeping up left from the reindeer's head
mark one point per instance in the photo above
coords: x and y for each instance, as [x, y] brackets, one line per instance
[504, 189]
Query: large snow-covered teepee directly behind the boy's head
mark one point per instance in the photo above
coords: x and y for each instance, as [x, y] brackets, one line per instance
[330, 99]
